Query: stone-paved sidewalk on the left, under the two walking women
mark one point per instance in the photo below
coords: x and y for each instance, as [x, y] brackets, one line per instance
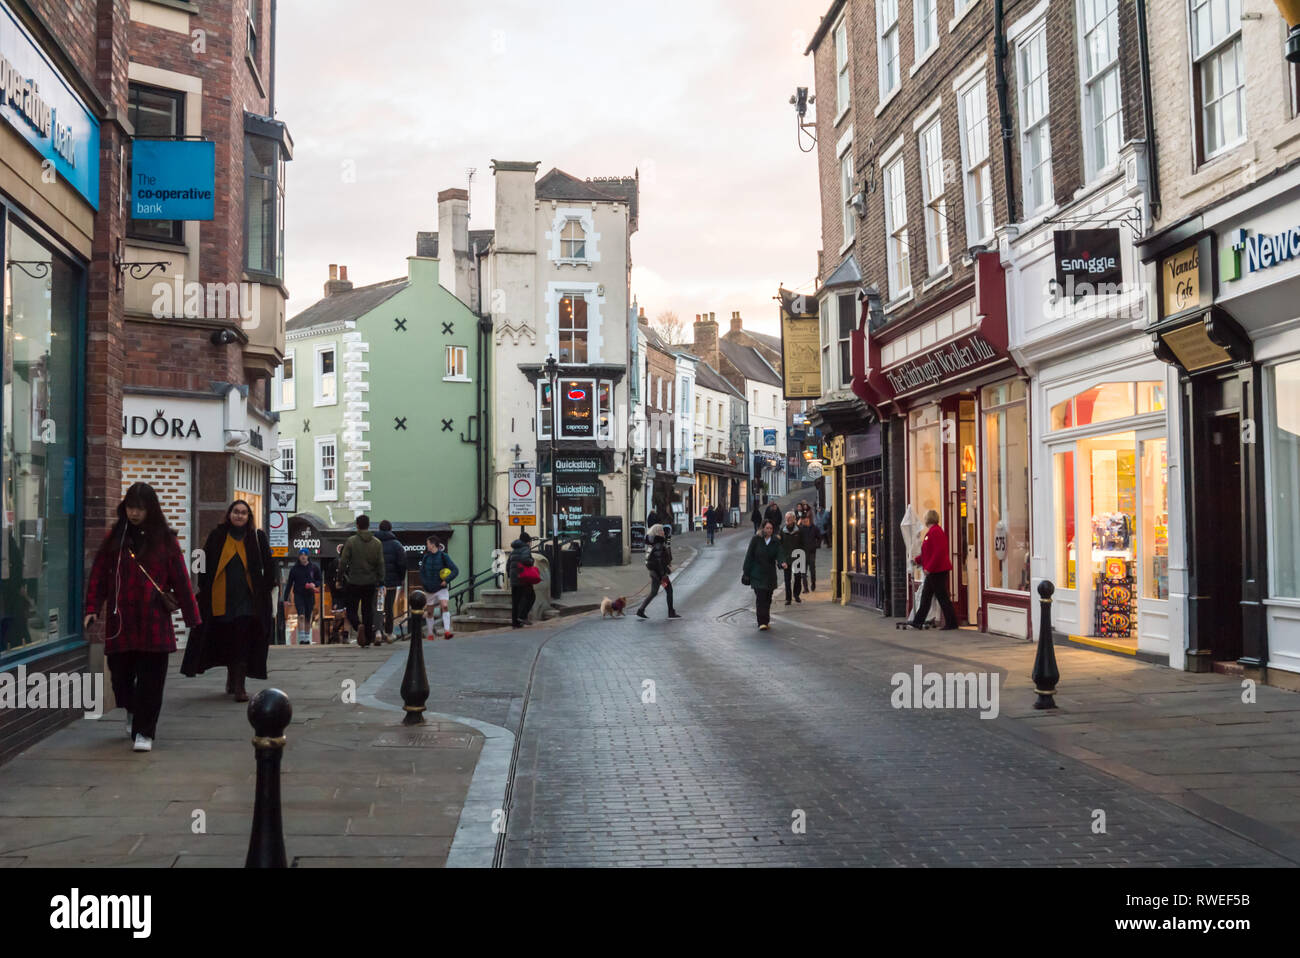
[357, 788]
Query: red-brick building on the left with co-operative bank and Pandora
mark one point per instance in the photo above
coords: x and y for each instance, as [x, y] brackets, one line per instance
[137, 349]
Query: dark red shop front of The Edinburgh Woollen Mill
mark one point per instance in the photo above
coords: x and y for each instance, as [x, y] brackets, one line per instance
[956, 406]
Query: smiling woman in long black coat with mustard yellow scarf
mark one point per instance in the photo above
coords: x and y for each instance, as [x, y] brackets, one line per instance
[236, 601]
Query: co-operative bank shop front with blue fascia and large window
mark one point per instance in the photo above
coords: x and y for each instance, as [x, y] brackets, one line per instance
[49, 202]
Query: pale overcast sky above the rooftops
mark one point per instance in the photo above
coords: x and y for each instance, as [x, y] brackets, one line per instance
[392, 102]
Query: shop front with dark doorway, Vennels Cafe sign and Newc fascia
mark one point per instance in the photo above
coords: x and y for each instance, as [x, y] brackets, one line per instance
[1229, 326]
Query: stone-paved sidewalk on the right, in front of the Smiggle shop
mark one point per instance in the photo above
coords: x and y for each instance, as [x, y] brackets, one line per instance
[1188, 738]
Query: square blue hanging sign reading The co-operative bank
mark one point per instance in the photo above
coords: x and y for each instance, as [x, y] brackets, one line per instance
[174, 180]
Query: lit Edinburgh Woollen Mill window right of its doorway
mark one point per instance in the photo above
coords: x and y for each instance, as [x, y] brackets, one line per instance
[1007, 506]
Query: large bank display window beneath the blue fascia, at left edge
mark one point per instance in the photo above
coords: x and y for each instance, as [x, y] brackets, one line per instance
[40, 422]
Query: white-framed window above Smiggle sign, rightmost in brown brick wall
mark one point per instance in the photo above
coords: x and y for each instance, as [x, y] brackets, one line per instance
[1103, 135]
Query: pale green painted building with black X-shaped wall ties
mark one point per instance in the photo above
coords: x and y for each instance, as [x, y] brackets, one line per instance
[382, 398]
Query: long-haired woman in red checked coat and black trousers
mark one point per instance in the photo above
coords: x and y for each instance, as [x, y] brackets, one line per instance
[140, 560]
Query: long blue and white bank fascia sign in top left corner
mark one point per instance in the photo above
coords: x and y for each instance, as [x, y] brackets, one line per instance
[38, 103]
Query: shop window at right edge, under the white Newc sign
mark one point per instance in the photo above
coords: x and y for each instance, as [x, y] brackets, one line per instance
[1284, 449]
